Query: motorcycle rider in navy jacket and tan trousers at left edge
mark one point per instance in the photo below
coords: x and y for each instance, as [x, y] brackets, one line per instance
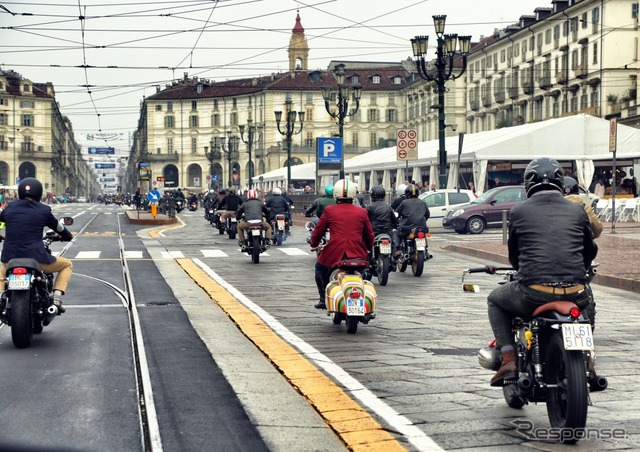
[25, 219]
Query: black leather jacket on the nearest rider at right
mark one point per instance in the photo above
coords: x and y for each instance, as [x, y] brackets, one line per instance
[550, 240]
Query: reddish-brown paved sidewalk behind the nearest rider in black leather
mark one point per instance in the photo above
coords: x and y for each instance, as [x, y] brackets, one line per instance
[618, 256]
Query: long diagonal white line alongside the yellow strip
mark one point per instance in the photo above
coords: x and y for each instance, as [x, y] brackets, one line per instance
[414, 435]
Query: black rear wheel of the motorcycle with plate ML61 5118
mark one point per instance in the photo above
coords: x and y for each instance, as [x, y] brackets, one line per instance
[567, 403]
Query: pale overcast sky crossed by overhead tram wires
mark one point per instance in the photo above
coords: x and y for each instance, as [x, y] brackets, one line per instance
[130, 47]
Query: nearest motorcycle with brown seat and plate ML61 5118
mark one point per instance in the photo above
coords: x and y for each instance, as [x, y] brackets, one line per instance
[552, 349]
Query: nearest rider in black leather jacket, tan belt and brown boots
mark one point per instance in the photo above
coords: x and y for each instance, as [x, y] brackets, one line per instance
[551, 246]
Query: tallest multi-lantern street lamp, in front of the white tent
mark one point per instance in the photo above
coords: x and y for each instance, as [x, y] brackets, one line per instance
[445, 55]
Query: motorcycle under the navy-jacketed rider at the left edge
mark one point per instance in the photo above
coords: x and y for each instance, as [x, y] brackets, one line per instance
[27, 302]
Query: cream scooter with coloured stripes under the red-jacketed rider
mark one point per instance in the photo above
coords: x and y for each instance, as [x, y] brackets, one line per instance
[349, 297]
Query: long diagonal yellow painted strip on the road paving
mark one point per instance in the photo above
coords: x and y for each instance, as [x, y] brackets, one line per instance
[353, 425]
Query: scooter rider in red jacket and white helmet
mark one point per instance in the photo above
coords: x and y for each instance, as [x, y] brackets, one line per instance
[351, 235]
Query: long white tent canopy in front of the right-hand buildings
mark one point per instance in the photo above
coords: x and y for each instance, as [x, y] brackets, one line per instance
[582, 138]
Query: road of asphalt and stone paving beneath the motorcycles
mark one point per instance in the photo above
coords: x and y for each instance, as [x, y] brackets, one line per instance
[412, 370]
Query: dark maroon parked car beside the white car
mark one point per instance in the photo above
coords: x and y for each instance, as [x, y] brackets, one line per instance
[484, 211]
